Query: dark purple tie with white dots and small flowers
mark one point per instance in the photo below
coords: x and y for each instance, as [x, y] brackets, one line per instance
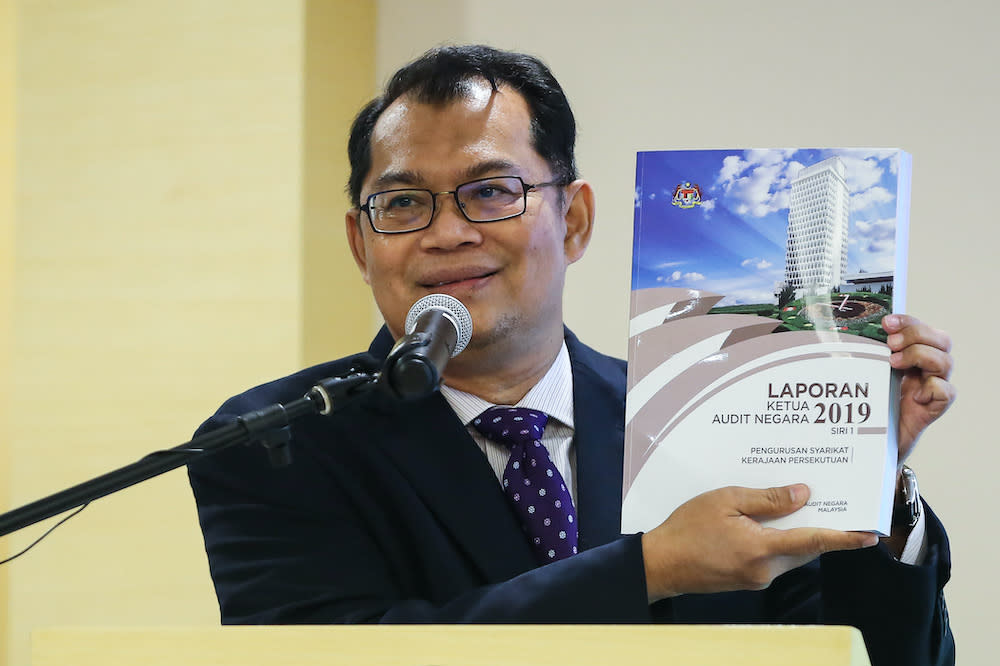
[531, 481]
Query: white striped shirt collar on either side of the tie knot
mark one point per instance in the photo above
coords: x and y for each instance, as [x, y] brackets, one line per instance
[553, 394]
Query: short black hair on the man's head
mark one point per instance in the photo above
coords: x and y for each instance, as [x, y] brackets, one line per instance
[437, 77]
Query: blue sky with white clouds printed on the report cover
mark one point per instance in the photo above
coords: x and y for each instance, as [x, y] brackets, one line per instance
[734, 243]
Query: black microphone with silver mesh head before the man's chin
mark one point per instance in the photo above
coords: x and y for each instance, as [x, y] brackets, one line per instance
[438, 327]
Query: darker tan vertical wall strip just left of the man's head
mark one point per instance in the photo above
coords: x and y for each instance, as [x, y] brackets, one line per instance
[339, 70]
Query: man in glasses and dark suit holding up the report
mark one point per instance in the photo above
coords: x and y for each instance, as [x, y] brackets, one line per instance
[463, 183]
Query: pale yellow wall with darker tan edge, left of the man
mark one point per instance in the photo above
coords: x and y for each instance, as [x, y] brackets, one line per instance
[179, 186]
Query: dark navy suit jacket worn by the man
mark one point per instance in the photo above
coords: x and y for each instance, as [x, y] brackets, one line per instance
[390, 513]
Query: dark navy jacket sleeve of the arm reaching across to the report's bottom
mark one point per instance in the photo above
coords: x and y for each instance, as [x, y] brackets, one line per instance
[295, 547]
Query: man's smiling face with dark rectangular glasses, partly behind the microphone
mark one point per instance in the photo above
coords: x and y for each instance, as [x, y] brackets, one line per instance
[508, 273]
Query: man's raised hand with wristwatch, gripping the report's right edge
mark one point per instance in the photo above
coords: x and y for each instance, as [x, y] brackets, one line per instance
[922, 353]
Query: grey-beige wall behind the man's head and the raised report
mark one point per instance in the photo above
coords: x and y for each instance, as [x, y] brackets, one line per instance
[644, 75]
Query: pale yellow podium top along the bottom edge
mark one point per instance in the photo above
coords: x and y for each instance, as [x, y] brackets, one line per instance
[468, 645]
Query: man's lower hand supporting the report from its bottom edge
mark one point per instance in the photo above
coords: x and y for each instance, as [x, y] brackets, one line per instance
[713, 543]
